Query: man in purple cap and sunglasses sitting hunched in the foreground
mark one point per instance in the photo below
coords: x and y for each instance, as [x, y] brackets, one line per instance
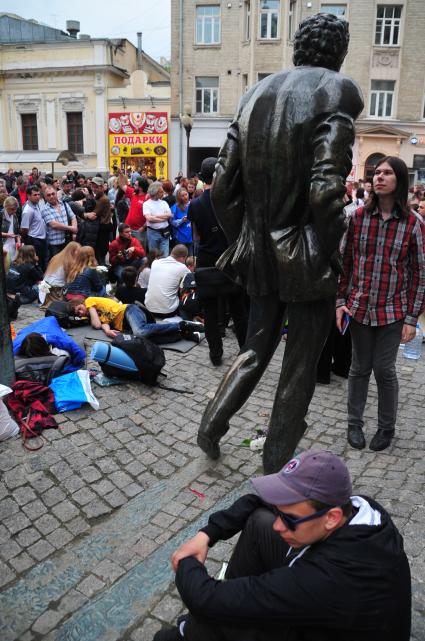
[313, 563]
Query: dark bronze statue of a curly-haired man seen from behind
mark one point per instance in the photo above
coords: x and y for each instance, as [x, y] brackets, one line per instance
[278, 195]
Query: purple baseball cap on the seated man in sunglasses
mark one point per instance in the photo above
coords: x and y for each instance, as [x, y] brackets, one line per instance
[318, 475]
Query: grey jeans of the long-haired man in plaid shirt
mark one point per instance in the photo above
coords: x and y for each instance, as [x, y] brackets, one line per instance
[374, 349]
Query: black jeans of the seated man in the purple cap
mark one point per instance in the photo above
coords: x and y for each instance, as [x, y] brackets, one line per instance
[258, 550]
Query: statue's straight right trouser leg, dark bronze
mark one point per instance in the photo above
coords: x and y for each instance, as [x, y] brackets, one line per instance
[308, 328]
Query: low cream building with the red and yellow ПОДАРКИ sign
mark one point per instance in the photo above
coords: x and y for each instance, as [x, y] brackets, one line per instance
[58, 88]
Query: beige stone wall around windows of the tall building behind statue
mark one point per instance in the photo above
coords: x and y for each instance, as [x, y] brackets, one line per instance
[365, 61]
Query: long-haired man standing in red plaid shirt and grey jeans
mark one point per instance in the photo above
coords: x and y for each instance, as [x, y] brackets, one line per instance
[382, 292]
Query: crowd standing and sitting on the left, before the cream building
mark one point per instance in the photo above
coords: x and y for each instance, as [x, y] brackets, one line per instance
[127, 240]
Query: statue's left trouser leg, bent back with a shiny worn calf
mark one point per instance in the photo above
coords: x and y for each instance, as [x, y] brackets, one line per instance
[264, 333]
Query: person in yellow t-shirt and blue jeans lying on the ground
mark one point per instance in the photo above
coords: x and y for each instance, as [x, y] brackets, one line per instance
[114, 317]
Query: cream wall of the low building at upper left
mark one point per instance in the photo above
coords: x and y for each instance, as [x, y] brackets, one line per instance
[53, 79]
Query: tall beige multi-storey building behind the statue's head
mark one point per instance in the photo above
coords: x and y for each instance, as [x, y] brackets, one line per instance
[221, 48]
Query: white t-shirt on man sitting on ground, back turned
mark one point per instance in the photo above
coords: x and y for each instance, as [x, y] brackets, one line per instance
[164, 281]
